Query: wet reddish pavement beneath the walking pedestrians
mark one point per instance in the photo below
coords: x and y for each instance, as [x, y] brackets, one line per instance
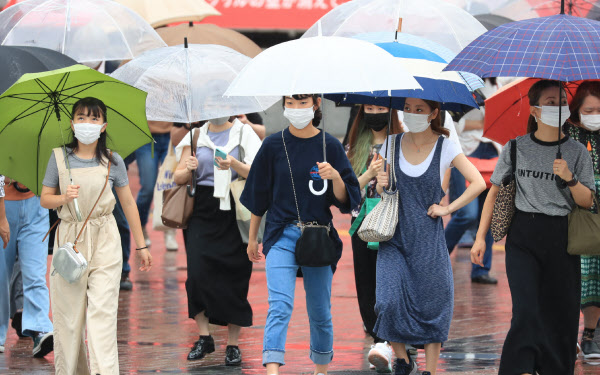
[155, 335]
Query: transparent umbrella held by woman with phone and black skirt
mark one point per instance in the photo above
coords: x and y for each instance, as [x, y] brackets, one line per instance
[187, 84]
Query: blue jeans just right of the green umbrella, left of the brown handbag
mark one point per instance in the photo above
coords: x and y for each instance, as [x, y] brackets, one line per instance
[148, 169]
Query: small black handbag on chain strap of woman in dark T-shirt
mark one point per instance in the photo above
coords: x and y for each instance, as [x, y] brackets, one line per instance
[314, 248]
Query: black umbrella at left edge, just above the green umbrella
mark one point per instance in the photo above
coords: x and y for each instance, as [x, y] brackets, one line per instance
[18, 60]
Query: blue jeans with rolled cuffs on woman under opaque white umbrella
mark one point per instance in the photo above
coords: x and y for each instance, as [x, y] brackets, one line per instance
[281, 271]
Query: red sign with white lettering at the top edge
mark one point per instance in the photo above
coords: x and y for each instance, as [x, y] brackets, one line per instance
[270, 14]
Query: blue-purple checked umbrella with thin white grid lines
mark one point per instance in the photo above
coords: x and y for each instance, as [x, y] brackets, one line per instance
[561, 47]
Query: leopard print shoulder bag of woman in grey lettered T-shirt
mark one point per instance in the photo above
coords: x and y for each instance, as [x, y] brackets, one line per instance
[504, 207]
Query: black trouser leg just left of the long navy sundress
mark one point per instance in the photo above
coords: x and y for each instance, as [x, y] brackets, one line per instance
[365, 265]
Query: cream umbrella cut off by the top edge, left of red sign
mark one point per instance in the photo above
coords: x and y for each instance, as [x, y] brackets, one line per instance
[163, 12]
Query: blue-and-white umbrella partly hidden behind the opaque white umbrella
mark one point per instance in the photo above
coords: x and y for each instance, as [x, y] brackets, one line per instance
[450, 90]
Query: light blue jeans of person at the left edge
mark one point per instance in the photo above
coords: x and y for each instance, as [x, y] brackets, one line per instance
[28, 224]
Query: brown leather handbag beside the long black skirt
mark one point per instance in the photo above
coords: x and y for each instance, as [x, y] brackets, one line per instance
[178, 205]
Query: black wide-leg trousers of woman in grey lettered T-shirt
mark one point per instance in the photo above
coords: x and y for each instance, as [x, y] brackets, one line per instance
[545, 286]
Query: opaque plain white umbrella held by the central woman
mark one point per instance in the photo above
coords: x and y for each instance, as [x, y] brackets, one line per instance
[321, 65]
